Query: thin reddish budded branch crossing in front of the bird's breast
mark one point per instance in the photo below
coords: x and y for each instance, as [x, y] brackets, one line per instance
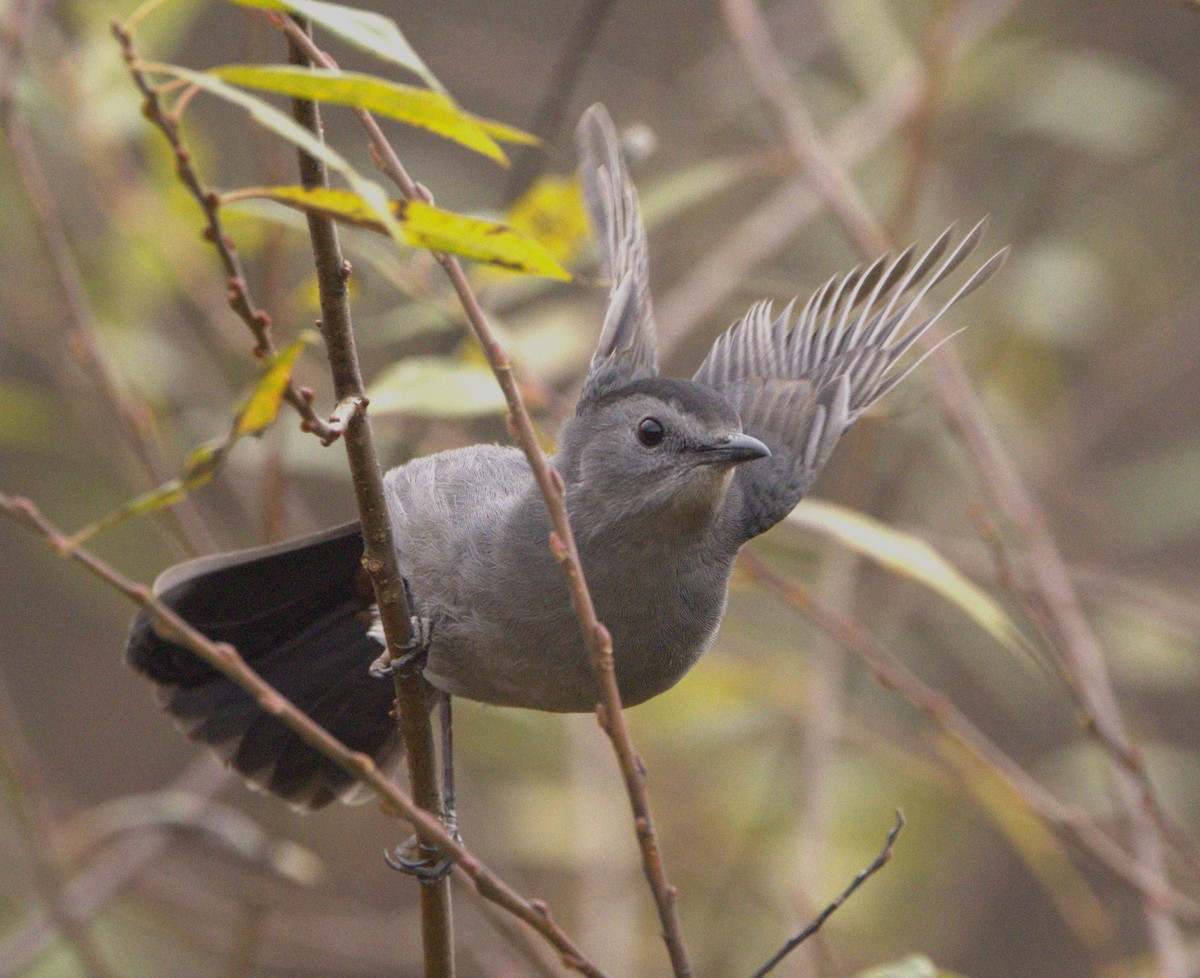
[550, 483]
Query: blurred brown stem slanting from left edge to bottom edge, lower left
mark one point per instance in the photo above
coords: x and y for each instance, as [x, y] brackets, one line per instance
[35, 821]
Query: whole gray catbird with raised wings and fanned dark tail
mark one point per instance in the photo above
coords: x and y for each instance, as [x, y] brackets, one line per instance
[665, 481]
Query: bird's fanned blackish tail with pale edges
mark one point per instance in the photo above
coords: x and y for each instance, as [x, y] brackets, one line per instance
[299, 615]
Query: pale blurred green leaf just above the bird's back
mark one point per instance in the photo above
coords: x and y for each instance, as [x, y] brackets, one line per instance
[436, 387]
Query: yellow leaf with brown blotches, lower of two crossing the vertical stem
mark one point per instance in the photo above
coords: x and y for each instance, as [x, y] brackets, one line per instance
[422, 226]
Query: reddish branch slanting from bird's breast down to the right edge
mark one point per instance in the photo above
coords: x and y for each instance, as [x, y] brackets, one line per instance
[943, 711]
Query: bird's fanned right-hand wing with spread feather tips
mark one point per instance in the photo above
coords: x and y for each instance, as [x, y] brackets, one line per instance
[800, 383]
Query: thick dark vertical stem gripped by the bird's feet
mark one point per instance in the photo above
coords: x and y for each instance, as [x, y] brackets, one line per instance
[380, 557]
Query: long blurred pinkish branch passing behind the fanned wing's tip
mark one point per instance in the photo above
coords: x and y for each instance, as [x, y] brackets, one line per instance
[1081, 647]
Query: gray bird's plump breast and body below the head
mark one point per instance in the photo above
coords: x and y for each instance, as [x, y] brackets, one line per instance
[472, 537]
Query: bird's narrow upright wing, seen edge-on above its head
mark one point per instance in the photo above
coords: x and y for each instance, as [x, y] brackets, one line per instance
[628, 349]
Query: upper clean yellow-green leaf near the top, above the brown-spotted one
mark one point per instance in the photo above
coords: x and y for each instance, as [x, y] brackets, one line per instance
[418, 107]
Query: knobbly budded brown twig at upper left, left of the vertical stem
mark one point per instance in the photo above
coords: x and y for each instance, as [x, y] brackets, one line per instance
[241, 299]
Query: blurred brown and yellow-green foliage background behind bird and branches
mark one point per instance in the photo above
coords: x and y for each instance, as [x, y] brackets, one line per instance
[775, 767]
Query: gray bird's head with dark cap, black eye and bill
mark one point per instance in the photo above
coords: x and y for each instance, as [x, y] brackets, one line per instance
[658, 448]
